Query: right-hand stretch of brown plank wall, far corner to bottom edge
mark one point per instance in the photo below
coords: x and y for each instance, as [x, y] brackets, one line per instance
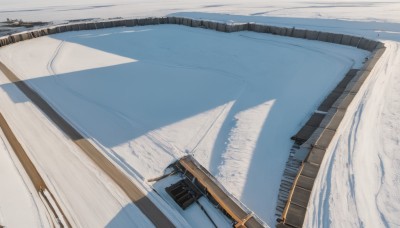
[315, 138]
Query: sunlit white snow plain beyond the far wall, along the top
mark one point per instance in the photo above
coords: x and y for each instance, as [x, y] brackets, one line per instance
[50, 10]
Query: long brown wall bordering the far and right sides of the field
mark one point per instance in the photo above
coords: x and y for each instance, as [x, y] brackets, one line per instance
[296, 207]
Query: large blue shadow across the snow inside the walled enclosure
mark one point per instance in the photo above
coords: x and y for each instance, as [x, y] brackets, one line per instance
[119, 103]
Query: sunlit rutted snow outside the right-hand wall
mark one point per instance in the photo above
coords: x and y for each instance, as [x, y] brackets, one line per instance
[364, 161]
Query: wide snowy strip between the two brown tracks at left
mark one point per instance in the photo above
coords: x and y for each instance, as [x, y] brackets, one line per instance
[69, 174]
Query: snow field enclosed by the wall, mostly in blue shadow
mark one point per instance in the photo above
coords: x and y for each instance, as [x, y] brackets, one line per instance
[229, 99]
